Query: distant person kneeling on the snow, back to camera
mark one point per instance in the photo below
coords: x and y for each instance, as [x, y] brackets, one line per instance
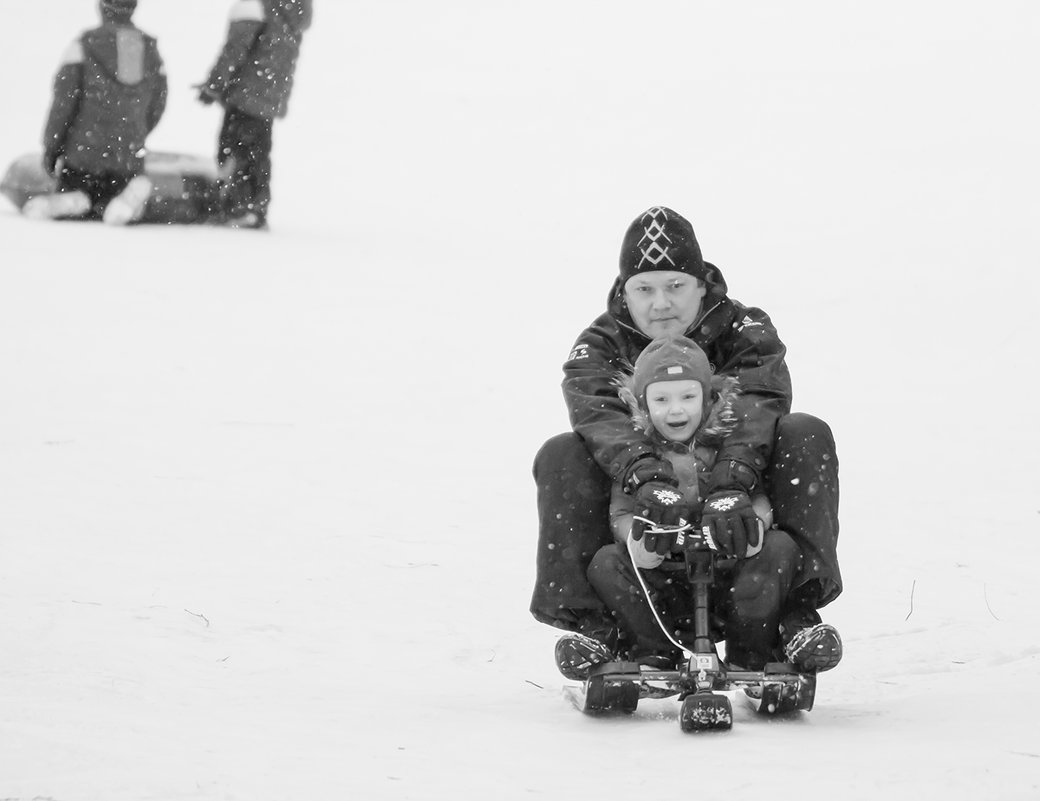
[110, 94]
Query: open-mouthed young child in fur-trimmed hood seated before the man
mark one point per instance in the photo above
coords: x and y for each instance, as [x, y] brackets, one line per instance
[686, 412]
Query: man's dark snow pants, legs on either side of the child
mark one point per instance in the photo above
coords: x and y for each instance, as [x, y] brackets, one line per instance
[574, 510]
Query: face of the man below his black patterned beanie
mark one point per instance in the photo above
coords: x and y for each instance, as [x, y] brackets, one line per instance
[664, 302]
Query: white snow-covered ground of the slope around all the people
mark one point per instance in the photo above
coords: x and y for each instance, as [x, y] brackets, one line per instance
[268, 522]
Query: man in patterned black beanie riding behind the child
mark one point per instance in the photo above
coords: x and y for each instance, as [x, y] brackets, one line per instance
[666, 288]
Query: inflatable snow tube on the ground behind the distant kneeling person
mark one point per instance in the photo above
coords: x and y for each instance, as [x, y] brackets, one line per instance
[185, 188]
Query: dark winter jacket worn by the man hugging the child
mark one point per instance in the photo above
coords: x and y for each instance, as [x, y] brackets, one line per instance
[739, 341]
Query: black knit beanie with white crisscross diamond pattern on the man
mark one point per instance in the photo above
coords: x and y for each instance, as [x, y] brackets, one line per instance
[662, 240]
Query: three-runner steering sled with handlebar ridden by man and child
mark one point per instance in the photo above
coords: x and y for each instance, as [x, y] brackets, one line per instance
[701, 683]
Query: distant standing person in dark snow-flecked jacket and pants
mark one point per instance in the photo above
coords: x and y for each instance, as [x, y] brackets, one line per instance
[253, 80]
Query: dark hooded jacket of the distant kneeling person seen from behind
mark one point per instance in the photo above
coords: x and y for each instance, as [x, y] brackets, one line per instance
[110, 94]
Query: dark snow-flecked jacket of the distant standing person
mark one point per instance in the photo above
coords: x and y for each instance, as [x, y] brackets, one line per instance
[255, 70]
